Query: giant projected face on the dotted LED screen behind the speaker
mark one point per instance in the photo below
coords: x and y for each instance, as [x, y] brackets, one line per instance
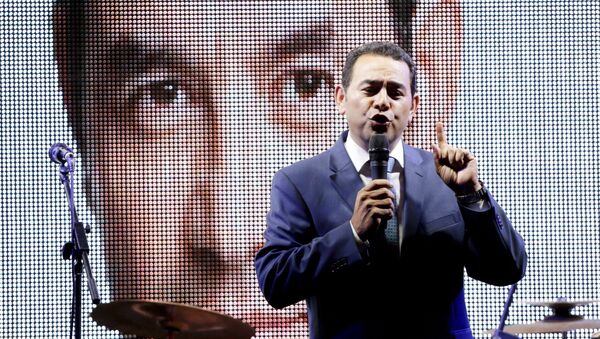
[189, 107]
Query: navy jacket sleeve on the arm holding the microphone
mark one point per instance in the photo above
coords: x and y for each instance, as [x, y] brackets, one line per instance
[299, 256]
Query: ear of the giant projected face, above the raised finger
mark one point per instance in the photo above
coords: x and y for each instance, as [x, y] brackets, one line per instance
[438, 31]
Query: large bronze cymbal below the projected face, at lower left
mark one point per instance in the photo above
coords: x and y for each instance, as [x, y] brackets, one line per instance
[166, 320]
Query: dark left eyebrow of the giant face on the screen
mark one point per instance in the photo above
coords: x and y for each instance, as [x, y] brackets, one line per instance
[129, 57]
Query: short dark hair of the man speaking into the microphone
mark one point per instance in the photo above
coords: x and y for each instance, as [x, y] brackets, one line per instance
[386, 49]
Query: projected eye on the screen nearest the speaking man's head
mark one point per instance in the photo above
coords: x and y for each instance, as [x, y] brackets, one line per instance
[305, 84]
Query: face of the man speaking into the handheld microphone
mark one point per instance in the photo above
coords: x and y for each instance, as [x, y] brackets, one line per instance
[378, 99]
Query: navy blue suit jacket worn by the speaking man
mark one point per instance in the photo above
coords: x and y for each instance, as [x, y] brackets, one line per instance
[310, 252]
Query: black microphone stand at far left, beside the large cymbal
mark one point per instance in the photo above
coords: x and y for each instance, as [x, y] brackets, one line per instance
[77, 249]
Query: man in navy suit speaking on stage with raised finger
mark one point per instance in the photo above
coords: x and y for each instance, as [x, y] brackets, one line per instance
[326, 242]
